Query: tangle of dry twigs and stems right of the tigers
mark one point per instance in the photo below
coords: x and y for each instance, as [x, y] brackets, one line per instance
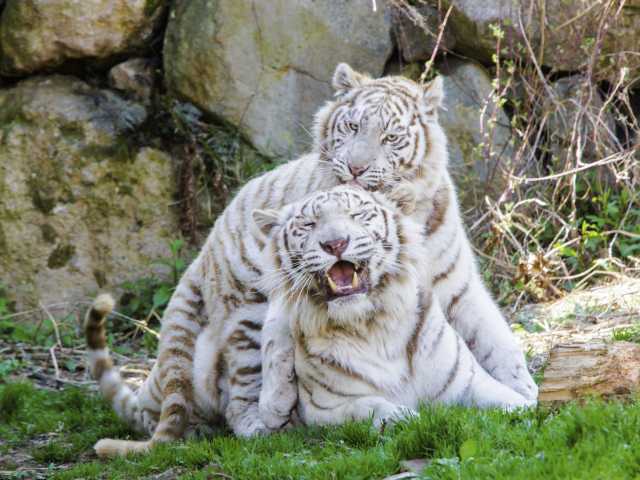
[569, 210]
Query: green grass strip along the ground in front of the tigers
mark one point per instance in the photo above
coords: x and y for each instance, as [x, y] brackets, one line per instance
[595, 440]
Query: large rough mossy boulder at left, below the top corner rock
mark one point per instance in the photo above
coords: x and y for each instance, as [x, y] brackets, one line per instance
[80, 208]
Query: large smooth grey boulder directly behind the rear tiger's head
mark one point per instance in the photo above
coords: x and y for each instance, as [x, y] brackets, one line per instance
[266, 66]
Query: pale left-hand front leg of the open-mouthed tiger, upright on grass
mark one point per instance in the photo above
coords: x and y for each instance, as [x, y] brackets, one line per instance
[279, 394]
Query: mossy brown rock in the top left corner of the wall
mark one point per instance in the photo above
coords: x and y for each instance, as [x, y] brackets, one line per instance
[42, 34]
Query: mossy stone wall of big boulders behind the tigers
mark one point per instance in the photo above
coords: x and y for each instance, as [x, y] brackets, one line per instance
[92, 171]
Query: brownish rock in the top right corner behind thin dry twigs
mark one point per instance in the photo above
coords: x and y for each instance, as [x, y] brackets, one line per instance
[567, 38]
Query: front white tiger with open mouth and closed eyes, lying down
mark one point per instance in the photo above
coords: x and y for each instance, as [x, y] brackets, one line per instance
[351, 295]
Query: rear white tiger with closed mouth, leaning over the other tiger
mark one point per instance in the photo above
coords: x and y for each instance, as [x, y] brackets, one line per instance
[382, 134]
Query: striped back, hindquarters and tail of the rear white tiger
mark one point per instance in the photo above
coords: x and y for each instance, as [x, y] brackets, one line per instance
[209, 354]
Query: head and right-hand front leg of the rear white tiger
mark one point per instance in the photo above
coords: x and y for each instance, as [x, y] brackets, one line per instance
[384, 134]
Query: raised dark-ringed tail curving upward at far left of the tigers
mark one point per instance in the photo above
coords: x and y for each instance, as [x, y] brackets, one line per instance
[115, 390]
